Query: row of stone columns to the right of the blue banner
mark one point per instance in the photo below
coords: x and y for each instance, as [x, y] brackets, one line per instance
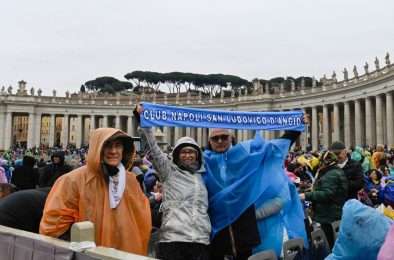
[365, 121]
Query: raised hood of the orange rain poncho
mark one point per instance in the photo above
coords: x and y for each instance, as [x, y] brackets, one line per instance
[99, 138]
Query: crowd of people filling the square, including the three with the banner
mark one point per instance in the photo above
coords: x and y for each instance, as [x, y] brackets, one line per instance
[223, 201]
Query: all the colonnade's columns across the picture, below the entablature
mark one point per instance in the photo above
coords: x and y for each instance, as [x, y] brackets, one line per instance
[364, 121]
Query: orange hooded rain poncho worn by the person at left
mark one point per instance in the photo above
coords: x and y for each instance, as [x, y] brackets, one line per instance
[82, 195]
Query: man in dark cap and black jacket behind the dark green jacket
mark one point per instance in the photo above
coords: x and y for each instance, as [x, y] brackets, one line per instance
[352, 169]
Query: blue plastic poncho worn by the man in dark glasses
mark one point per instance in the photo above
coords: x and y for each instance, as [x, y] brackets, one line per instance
[252, 173]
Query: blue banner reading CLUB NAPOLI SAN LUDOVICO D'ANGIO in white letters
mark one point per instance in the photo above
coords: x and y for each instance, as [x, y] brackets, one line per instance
[160, 115]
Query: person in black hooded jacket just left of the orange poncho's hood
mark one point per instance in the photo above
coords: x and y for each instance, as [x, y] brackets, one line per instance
[53, 171]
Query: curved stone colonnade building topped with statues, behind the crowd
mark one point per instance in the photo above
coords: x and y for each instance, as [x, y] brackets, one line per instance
[357, 110]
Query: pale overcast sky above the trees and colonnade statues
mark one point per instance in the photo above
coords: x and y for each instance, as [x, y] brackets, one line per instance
[62, 44]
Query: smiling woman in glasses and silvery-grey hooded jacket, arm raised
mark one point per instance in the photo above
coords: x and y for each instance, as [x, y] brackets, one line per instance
[185, 228]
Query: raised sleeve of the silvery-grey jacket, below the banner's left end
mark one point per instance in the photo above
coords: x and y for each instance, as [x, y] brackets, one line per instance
[156, 156]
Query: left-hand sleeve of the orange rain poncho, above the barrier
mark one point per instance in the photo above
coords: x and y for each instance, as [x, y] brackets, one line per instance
[61, 208]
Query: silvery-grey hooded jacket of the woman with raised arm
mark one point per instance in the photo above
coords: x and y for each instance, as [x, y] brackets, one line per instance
[185, 197]
